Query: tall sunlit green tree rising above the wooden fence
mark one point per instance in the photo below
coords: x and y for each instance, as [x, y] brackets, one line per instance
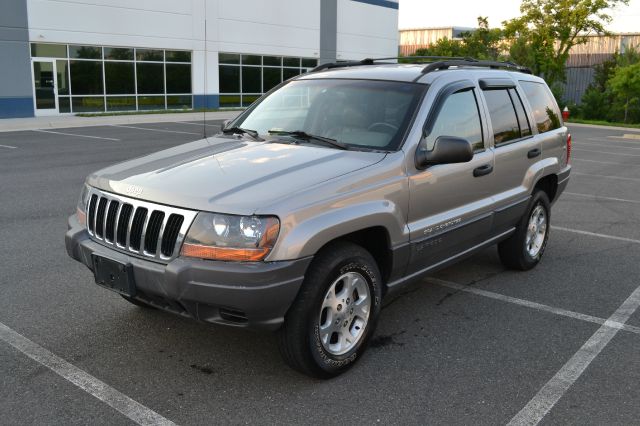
[543, 35]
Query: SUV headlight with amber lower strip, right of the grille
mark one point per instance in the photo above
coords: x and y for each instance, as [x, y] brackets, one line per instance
[226, 237]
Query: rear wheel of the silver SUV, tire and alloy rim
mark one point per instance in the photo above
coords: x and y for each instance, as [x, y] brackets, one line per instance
[524, 249]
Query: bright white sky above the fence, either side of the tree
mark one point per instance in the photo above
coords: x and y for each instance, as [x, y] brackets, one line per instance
[464, 13]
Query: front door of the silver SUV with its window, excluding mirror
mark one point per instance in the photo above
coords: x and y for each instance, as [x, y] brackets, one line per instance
[450, 205]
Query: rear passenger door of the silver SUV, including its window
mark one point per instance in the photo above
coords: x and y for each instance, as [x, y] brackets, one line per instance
[515, 147]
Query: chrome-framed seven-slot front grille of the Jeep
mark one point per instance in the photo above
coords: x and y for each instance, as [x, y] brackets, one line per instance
[137, 227]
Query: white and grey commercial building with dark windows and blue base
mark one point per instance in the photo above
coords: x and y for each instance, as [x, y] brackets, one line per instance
[60, 57]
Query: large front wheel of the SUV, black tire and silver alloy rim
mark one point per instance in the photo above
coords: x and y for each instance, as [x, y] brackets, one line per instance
[335, 313]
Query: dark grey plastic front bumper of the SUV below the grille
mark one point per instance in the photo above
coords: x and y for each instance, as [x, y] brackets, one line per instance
[252, 294]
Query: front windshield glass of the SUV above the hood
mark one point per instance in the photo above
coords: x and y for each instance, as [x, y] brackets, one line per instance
[358, 113]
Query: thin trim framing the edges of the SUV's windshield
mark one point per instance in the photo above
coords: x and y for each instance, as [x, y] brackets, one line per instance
[419, 100]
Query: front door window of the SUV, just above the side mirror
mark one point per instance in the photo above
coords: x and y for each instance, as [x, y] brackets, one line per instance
[458, 117]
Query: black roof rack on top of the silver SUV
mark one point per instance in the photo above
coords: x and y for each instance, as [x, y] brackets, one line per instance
[438, 63]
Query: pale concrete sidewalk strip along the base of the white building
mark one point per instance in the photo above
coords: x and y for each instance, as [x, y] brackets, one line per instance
[59, 122]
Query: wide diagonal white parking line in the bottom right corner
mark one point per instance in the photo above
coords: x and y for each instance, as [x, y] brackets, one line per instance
[555, 388]
